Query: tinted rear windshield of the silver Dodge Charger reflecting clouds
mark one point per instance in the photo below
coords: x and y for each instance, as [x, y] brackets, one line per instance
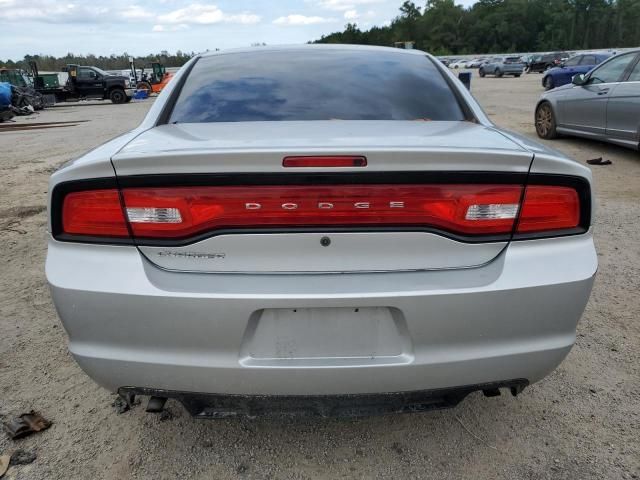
[315, 85]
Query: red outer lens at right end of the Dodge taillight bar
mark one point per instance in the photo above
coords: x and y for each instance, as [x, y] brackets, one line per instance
[549, 208]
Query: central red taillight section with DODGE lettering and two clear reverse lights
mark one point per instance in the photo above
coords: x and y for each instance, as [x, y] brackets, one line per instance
[187, 211]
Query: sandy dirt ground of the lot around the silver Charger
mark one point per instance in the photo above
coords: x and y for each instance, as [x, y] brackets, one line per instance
[582, 422]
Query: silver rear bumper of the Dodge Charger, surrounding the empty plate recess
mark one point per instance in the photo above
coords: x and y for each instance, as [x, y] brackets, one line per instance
[131, 324]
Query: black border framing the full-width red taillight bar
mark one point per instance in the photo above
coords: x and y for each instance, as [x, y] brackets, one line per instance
[316, 178]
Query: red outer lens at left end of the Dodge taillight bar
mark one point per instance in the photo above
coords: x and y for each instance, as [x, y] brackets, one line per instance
[95, 213]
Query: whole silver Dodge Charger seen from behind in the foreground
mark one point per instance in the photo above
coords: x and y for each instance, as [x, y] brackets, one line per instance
[335, 230]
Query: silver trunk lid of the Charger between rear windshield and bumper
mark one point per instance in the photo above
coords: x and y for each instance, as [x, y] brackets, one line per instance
[314, 219]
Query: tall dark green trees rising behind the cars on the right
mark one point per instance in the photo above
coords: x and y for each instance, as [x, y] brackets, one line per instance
[496, 26]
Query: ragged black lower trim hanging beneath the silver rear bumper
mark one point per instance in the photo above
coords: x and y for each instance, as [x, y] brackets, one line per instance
[214, 406]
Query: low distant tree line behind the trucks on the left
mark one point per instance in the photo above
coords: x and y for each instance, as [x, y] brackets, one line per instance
[112, 62]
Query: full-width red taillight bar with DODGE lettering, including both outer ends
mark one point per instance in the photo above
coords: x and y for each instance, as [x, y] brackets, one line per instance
[477, 212]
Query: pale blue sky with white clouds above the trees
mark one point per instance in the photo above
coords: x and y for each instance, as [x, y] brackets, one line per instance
[140, 27]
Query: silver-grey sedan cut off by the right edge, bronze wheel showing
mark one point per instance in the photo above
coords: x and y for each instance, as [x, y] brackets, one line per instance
[604, 104]
